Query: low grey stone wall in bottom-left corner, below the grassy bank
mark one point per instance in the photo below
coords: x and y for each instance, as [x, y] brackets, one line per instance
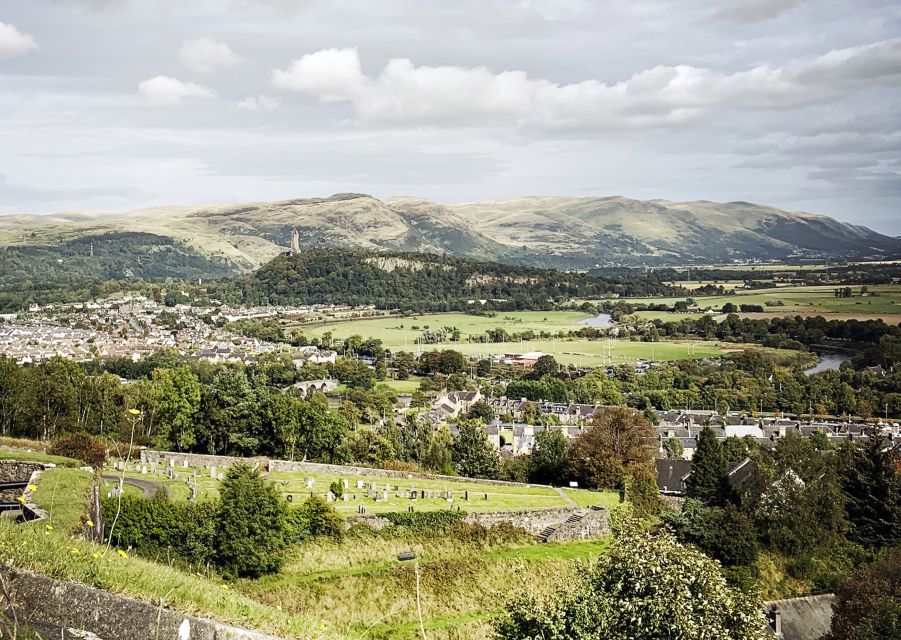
[54, 604]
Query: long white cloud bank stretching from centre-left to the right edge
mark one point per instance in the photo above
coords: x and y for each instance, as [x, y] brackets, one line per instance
[662, 95]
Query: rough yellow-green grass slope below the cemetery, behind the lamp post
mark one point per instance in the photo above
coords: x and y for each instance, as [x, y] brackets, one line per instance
[366, 592]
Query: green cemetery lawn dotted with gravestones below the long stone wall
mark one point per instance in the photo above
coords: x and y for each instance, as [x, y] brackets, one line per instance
[482, 496]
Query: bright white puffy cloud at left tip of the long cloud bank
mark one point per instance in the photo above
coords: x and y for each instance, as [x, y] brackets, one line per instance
[331, 74]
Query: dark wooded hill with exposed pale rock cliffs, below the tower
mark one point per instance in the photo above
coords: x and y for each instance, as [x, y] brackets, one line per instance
[421, 282]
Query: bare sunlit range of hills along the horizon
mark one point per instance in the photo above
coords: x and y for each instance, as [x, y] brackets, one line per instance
[549, 231]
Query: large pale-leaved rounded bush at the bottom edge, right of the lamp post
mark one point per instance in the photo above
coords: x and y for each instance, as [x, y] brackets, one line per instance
[647, 587]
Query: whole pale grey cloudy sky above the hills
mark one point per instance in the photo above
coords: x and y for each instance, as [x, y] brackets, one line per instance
[121, 104]
